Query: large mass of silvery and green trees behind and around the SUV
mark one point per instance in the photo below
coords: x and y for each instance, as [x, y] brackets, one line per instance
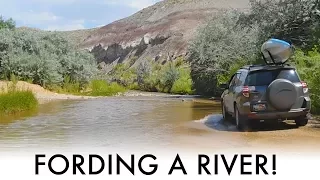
[233, 39]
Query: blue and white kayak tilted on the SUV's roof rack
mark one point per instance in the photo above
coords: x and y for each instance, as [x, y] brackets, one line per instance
[276, 51]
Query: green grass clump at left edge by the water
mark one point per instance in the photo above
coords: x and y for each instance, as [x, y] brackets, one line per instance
[17, 101]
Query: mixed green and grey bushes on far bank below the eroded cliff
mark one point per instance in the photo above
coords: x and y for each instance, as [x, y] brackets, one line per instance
[173, 77]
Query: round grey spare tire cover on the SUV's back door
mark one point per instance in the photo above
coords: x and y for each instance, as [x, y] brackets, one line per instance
[282, 94]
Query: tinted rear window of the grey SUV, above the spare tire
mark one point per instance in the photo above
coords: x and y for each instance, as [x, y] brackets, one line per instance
[264, 78]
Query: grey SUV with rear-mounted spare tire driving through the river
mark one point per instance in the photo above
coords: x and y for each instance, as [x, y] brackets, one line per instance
[266, 92]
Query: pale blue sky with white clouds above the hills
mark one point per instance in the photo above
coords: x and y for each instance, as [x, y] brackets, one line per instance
[64, 15]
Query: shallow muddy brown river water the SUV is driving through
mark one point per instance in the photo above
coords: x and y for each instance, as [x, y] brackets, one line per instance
[144, 122]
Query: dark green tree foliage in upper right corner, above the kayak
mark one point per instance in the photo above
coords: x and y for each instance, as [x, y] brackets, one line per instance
[296, 21]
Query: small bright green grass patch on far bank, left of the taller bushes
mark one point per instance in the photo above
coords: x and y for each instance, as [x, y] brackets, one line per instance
[103, 88]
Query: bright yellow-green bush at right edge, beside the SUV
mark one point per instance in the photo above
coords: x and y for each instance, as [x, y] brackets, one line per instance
[308, 65]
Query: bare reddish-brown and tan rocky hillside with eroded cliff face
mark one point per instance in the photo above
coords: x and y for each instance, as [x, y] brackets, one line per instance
[160, 32]
